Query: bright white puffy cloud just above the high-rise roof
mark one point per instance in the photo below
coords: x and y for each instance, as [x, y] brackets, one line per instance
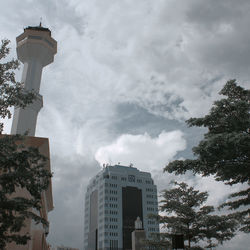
[145, 152]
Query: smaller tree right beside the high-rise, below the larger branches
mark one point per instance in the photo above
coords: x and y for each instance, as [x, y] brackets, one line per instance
[185, 214]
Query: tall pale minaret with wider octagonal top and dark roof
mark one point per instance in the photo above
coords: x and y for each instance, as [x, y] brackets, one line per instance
[35, 49]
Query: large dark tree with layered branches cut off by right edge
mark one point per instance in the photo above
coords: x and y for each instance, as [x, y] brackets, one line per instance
[224, 151]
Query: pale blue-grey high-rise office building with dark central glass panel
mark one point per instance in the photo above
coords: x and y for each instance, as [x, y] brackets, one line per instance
[115, 197]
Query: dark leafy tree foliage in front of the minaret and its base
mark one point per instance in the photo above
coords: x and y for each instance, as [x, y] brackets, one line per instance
[21, 167]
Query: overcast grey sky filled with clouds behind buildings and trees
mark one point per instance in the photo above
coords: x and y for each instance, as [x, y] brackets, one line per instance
[126, 77]
